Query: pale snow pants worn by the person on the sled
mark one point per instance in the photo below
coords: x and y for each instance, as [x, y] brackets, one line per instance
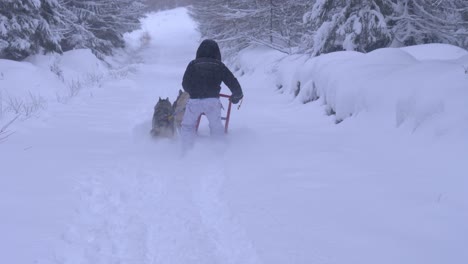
[211, 107]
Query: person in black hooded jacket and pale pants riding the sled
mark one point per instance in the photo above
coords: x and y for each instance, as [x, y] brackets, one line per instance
[202, 81]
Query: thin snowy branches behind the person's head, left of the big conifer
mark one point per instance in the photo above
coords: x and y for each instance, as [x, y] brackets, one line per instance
[237, 24]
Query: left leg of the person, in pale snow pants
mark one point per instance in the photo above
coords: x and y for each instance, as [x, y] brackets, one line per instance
[189, 123]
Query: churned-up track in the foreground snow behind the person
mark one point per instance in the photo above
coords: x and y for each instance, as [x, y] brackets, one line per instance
[158, 218]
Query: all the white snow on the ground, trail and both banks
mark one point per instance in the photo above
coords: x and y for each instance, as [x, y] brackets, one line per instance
[82, 182]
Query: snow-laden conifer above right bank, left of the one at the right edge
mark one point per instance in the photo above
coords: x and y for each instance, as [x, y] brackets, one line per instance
[346, 25]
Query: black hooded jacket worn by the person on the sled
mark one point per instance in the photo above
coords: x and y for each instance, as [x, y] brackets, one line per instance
[204, 75]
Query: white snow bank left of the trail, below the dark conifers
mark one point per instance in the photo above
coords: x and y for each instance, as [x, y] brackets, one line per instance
[29, 86]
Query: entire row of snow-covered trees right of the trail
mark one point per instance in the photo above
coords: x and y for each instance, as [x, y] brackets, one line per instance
[321, 26]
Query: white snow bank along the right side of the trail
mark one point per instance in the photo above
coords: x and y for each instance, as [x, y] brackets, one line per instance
[392, 85]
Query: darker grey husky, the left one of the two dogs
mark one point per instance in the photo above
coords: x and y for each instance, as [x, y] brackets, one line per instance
[163, 120]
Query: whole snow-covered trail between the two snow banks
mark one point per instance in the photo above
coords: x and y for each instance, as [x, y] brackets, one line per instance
[290, 187]
